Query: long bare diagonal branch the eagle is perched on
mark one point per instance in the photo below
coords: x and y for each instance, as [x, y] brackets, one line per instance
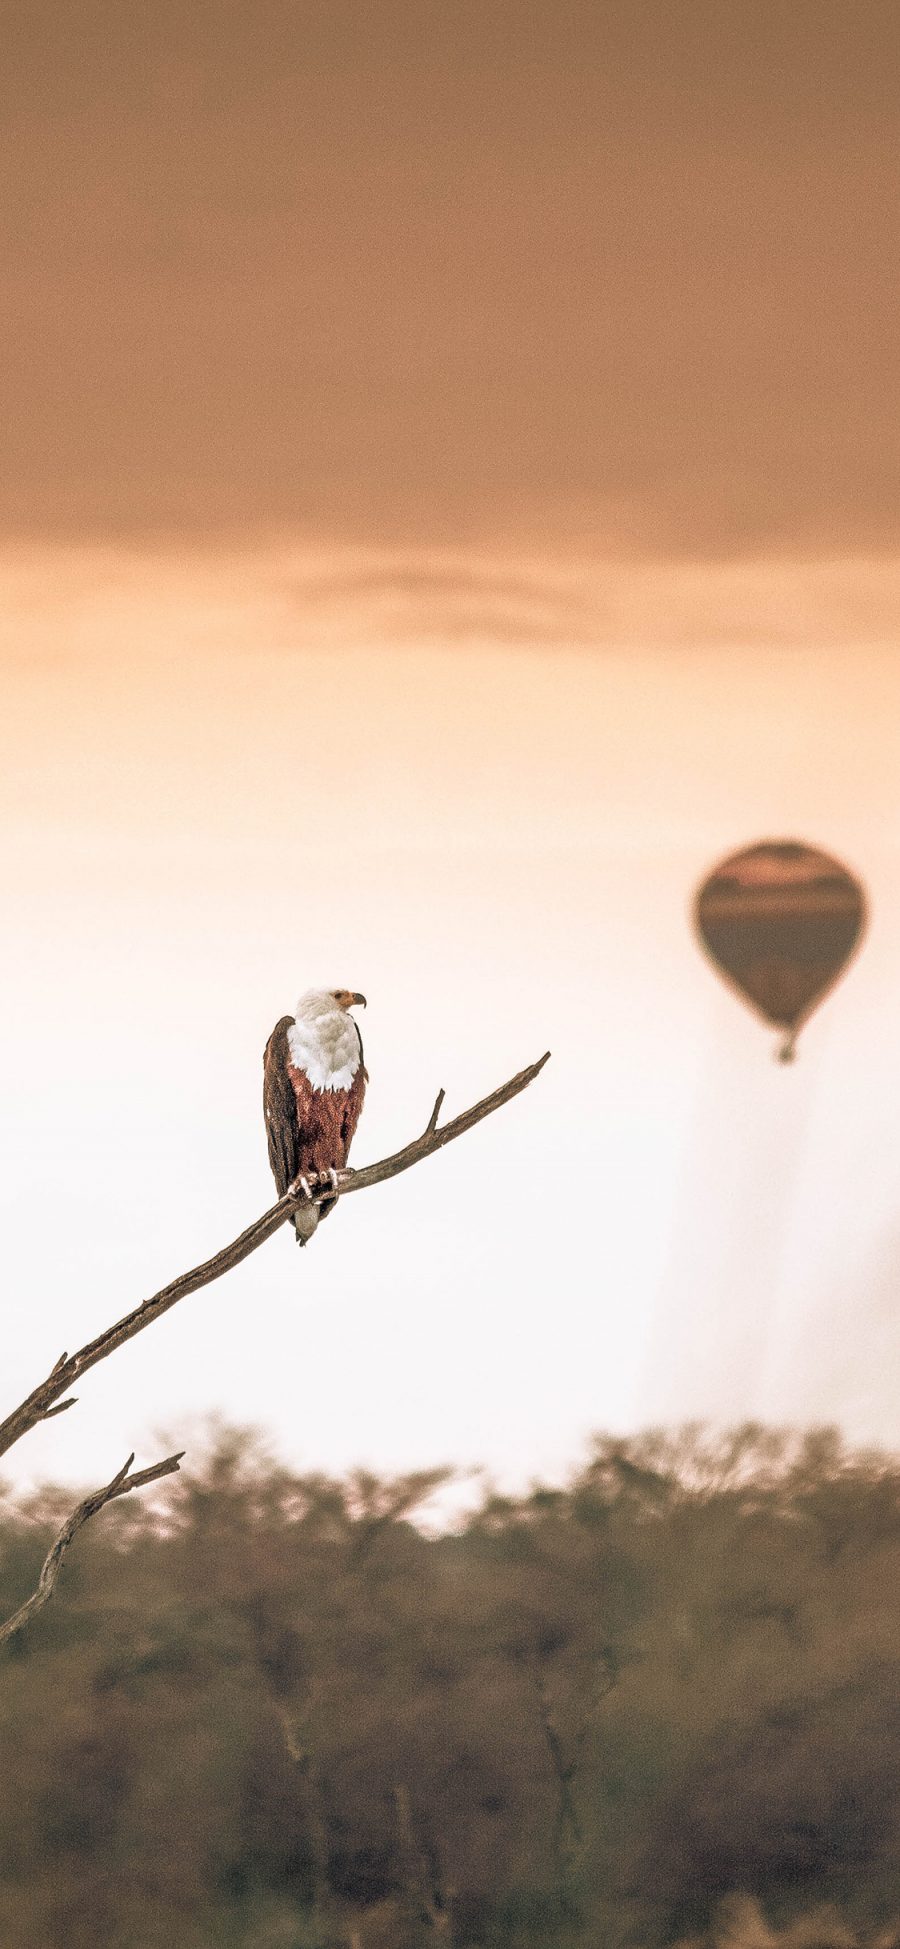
[42, 1402]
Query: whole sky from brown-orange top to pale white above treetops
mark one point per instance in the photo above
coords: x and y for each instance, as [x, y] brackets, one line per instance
[447, 502]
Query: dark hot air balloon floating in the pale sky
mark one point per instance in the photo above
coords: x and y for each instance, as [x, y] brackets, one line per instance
[780, 923]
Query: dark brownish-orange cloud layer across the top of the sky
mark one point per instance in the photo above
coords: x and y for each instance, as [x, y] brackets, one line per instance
[597, 274]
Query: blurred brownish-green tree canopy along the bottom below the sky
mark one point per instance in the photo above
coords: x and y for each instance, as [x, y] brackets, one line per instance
[281, 1716]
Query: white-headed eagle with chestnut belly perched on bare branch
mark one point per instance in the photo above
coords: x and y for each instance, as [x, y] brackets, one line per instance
[315, 1083]
